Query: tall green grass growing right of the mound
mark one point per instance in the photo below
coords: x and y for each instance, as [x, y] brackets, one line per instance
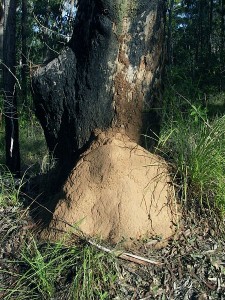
[195, 147]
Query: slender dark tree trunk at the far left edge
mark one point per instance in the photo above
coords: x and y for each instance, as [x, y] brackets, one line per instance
[9, 83]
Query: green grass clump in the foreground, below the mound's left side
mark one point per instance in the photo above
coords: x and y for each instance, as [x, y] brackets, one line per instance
[44, 269]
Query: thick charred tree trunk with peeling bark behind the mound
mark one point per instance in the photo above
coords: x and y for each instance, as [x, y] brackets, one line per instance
[108, 77]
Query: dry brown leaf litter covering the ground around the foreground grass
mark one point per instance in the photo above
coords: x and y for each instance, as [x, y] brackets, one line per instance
[190, 266]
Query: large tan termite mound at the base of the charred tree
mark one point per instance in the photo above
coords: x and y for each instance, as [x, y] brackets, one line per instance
[117, 191]
